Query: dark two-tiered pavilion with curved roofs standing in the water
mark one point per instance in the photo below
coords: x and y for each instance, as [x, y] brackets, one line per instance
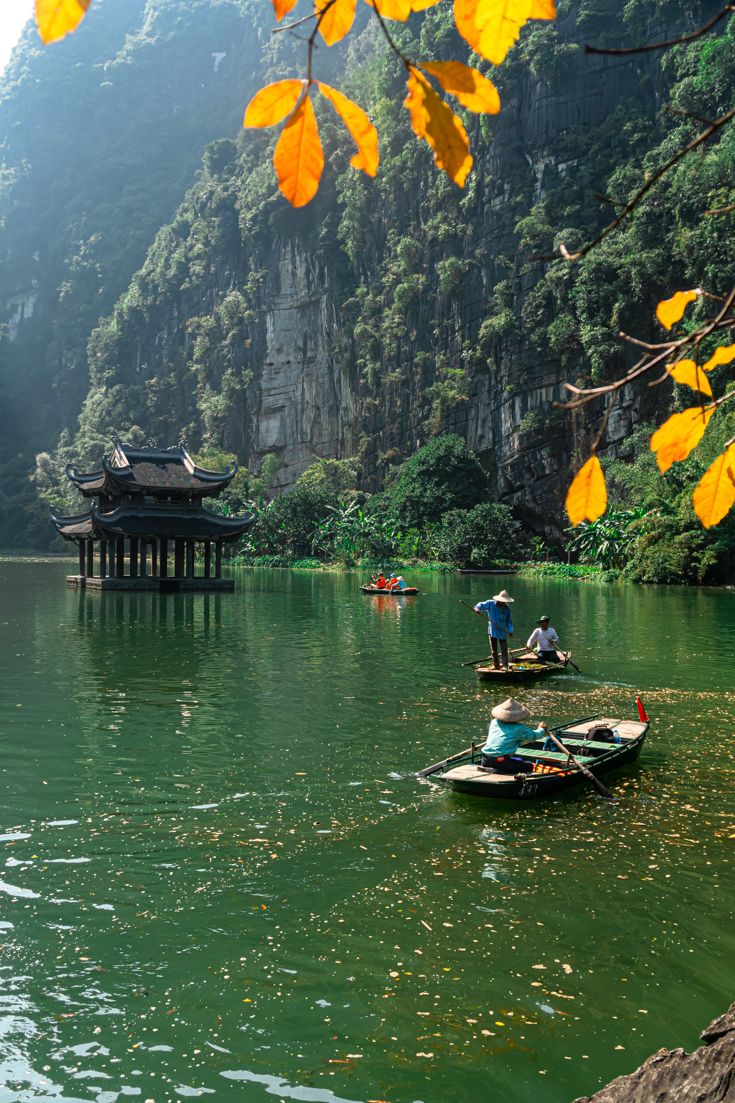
[147, 522]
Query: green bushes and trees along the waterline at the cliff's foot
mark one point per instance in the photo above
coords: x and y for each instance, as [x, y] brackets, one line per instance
[434, 515]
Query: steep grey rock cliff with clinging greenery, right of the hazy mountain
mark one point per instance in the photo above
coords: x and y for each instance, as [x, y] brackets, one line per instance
[393, 309]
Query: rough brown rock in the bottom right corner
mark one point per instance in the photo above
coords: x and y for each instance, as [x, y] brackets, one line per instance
[674, 1076]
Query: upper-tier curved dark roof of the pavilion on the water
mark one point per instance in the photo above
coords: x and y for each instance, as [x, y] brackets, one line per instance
[151, 470]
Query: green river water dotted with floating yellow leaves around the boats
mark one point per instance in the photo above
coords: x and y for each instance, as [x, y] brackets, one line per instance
[219, 880]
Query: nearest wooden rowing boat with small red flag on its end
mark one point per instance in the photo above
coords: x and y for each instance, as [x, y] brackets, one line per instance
[546, 774]
